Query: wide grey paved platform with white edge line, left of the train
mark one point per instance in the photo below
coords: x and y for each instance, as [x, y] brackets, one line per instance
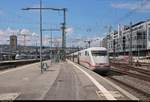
[61, 81]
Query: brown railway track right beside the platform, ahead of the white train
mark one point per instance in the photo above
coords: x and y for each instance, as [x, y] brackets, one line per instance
[131, 85]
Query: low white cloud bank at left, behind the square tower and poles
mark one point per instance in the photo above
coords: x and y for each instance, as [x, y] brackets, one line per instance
[31, 39]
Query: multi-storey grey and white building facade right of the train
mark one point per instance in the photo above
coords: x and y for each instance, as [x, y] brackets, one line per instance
[118, 42]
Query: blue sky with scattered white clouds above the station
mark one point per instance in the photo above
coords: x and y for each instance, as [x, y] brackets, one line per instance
[85, 19]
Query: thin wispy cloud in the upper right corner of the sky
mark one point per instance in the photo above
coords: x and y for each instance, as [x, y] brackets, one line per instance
[143, 6]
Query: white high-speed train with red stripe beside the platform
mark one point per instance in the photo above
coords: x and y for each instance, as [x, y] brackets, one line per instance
[94, 58]
